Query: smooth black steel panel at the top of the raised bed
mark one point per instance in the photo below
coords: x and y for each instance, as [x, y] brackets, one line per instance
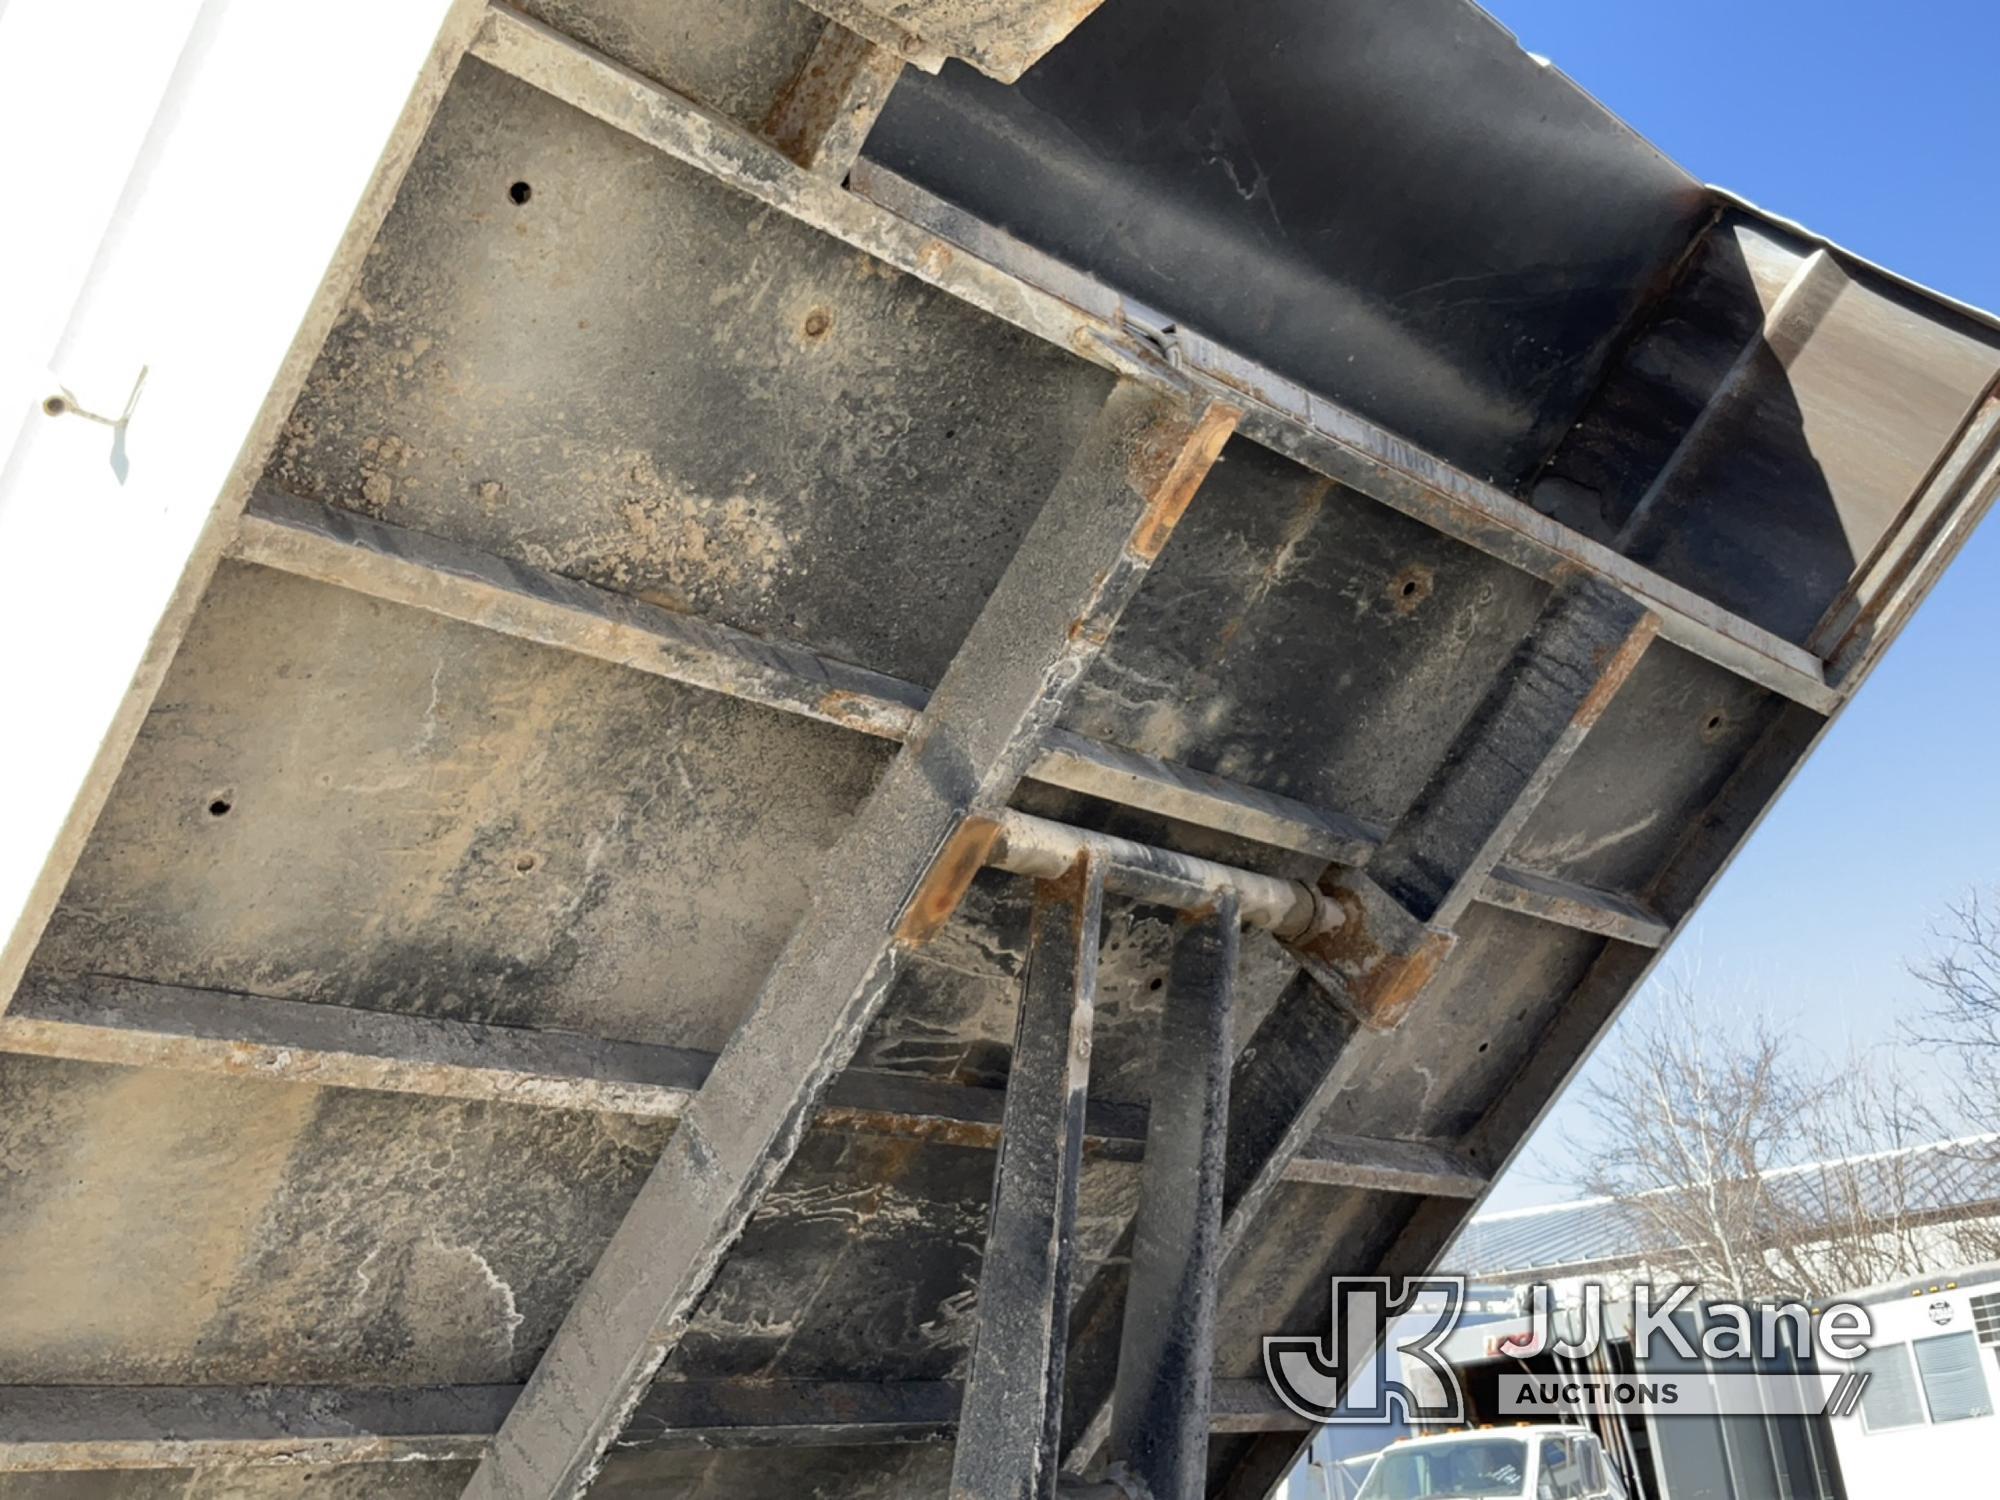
[1271, 131]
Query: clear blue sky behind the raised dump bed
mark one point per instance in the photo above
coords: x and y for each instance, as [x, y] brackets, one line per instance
[1873, 125]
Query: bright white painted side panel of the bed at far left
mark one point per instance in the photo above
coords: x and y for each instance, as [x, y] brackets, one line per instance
[217, 399]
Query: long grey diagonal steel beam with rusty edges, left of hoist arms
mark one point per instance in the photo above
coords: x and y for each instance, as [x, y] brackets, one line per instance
[889, 885]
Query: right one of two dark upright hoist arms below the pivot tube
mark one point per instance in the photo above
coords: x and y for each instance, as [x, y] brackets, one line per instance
[1167, 1351]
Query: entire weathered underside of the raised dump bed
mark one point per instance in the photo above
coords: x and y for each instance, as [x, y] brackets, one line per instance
[649, 569]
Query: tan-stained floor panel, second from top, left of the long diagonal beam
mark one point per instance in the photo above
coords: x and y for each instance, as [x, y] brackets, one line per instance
[443, 851]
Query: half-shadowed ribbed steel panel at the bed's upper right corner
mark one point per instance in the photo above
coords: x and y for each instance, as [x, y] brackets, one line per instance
[1749, 447]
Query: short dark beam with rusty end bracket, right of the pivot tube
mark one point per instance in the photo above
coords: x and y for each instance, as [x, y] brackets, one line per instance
[1401, 911]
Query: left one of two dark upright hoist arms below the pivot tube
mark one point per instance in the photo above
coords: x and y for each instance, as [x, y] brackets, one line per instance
[1011, 1421]
